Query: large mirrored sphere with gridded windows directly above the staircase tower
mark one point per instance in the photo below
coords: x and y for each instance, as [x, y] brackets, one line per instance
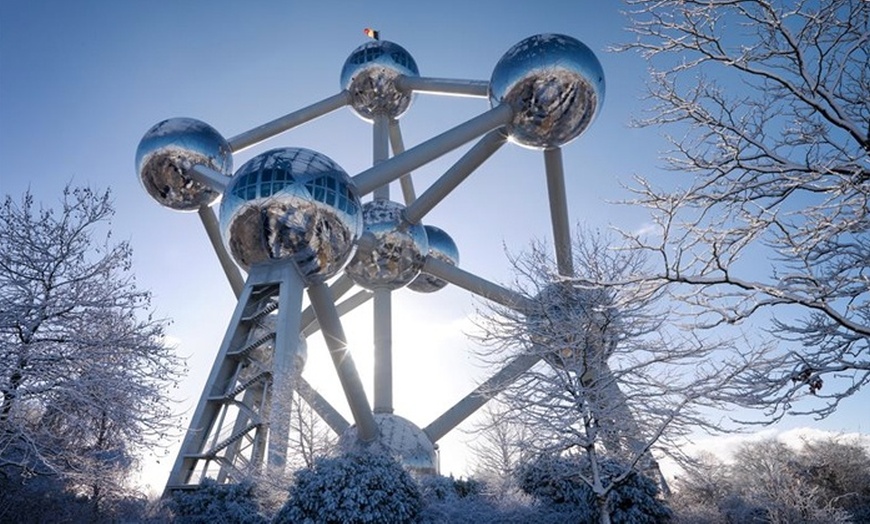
[292, 204]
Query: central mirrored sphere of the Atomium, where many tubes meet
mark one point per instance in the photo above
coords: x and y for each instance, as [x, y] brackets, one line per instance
[398, 252]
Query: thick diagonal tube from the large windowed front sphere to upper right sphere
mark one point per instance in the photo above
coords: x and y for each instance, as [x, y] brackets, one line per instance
[386, 172]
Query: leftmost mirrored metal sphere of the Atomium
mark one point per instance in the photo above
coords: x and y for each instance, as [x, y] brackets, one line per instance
[169, 149]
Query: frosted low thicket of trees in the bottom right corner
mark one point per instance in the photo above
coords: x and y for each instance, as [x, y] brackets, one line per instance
[825, 481]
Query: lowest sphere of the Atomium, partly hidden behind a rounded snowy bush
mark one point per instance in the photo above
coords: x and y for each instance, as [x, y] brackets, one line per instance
[398, 438]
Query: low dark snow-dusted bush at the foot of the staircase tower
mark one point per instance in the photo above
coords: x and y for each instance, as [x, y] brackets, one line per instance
[214, 503]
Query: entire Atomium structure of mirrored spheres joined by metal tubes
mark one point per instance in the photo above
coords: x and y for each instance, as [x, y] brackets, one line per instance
[292, 218]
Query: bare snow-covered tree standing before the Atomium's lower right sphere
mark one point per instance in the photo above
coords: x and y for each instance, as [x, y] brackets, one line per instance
[616, 380]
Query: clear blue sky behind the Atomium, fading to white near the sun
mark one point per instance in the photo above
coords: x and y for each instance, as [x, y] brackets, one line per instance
[81, 82]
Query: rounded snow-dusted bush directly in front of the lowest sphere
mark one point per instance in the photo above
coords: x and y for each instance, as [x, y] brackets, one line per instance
[352, 488]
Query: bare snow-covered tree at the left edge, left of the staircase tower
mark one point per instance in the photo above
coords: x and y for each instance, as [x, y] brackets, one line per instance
[84, 371]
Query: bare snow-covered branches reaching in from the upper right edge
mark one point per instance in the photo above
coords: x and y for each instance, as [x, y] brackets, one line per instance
[767, 105]
